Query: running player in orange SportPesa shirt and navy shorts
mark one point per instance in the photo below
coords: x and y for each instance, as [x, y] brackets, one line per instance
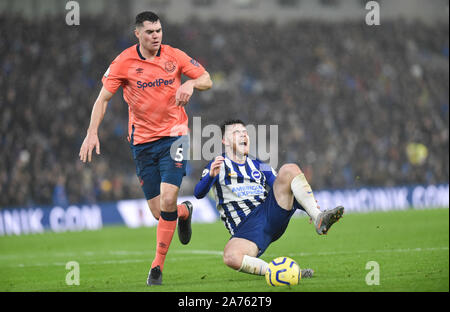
[150, 74]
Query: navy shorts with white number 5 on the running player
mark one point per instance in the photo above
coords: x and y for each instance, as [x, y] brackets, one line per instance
[159, 161]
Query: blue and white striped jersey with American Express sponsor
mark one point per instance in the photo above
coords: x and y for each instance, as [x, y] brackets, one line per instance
[238, 188]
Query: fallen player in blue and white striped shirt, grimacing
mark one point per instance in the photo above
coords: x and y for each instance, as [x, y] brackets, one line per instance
[254, 216]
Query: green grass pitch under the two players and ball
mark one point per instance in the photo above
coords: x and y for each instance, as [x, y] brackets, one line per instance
[411, 248]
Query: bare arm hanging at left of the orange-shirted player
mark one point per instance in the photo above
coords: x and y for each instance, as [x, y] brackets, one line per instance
[91, 140]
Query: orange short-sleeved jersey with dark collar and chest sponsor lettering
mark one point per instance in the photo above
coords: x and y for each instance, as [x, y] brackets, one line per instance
[149, 88]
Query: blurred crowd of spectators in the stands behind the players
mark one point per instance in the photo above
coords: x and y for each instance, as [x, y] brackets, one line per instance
[355, 105]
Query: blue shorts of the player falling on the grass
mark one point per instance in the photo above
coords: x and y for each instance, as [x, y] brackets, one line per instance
[266, 223]
